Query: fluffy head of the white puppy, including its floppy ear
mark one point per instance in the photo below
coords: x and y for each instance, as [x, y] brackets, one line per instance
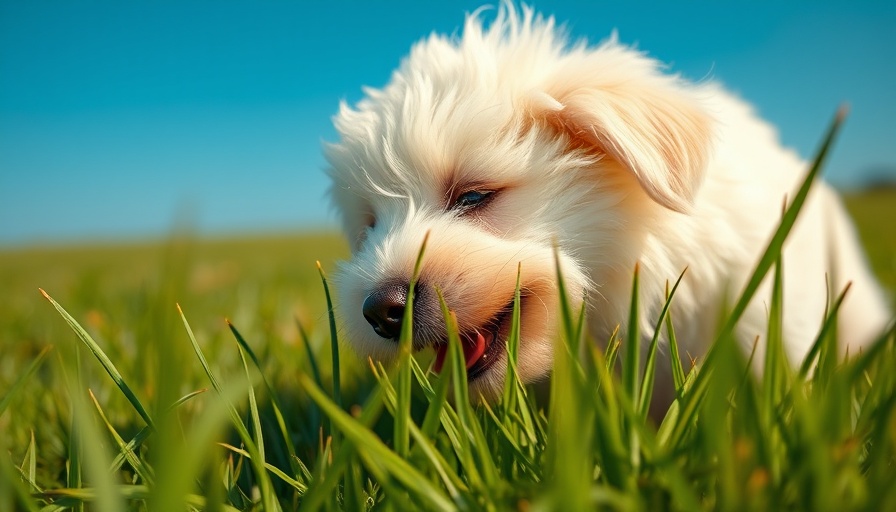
[501, 145]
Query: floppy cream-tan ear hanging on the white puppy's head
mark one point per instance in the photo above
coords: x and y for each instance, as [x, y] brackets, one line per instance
[654, 130]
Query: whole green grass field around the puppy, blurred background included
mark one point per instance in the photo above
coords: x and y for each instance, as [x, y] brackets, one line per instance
[206, 375]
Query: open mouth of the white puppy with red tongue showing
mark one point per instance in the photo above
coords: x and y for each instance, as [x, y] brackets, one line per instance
[482, 346]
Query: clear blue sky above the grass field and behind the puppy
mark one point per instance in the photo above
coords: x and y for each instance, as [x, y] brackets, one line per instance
[117, 118]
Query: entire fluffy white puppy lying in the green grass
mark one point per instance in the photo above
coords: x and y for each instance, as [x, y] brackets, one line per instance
[506, 141]
